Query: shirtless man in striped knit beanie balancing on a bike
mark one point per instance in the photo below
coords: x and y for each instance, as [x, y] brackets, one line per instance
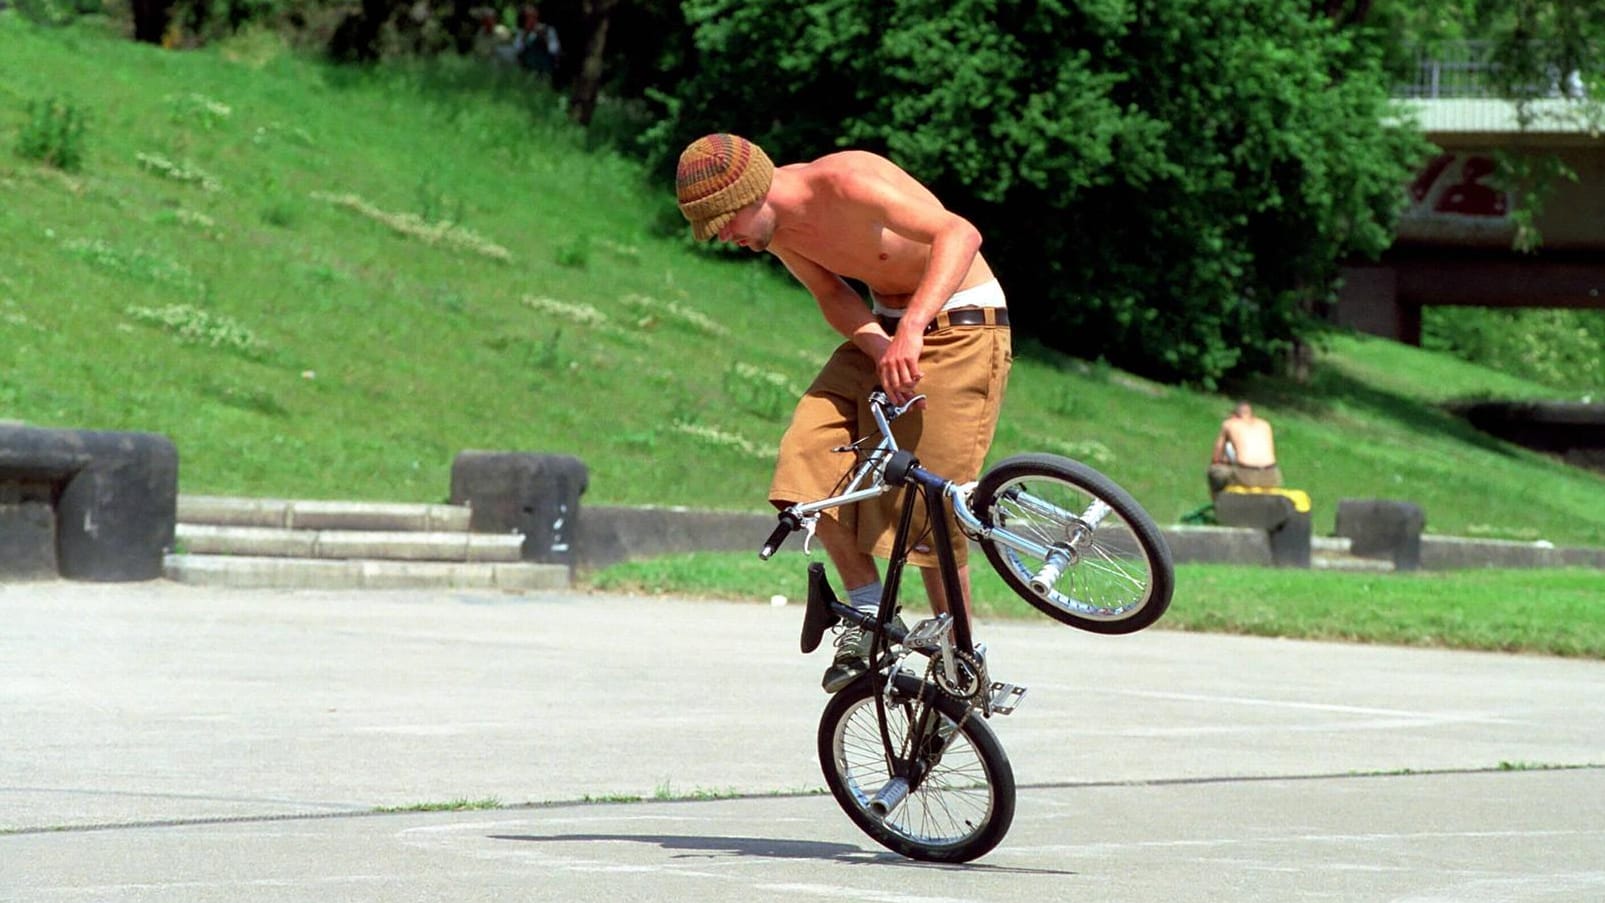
[938, 328]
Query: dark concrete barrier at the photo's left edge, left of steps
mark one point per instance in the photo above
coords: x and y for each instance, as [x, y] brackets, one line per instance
[113, 500]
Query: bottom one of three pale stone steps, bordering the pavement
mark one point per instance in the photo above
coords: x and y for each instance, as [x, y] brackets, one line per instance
[243, 572]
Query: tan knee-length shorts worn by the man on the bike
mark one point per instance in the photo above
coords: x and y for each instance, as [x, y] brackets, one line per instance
[965, 371]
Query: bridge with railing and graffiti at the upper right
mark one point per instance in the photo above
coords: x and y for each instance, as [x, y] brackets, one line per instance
[1455, 243]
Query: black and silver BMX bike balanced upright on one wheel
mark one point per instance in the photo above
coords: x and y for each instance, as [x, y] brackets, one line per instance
[903, 748]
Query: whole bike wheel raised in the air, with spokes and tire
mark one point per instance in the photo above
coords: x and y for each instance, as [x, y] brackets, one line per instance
[1076, 546]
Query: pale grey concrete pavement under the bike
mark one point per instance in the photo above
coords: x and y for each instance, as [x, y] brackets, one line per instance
[184, 743]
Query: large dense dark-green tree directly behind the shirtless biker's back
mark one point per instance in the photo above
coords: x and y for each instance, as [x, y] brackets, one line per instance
[1169, 185]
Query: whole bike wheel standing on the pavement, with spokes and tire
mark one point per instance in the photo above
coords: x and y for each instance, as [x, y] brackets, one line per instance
[965, 801]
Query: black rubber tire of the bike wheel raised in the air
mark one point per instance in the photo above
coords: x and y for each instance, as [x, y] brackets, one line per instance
[1100, 487]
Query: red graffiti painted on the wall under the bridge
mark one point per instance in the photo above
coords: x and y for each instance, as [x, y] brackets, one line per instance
[1453, 200]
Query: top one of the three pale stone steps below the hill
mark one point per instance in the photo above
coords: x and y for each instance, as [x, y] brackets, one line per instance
[291, 514]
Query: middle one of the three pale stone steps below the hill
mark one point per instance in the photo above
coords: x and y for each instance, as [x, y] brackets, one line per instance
[405, 546]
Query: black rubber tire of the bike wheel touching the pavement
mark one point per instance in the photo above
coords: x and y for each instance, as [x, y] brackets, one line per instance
[999, 772]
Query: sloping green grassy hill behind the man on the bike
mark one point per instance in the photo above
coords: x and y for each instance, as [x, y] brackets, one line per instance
[325, 283]
